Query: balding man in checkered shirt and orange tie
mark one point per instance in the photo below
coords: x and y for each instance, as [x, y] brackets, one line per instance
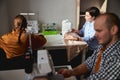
[107, 27]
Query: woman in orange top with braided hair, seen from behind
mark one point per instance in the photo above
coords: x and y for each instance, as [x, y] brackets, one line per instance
[16, 42]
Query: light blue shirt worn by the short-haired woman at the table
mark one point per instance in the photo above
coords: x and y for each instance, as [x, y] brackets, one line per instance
[88, 32]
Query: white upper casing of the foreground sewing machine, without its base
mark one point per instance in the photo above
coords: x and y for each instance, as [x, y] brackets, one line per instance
[44, 62]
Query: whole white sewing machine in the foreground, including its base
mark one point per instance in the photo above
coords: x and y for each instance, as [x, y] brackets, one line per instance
[45, 66]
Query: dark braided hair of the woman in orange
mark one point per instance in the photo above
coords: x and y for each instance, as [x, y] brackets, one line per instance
[21, 25]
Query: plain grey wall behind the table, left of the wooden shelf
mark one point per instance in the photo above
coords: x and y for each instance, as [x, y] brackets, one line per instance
[48, 11]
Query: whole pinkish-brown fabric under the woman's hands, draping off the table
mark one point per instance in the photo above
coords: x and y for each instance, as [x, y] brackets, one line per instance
[74, 47]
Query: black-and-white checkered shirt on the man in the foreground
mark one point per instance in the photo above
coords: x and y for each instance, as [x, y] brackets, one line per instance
[109, 66]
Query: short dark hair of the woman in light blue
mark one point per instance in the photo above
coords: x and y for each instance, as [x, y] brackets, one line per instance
[94, 11]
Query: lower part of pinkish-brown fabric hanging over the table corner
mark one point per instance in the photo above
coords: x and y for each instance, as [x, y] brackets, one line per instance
[74, 48]
